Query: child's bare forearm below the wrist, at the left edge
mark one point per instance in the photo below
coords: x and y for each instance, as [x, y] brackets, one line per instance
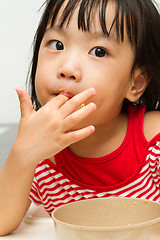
[15, 183]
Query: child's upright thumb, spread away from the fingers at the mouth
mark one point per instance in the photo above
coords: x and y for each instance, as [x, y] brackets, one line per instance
[25, 102]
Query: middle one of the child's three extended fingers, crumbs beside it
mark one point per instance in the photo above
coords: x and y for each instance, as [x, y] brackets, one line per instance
[78, 116]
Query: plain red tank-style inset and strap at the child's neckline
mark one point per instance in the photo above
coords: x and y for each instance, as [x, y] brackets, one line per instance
[115, 167]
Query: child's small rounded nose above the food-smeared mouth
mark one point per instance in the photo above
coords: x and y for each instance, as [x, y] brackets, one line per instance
[69, 69]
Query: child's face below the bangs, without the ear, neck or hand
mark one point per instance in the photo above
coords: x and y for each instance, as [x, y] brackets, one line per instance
[72, 61]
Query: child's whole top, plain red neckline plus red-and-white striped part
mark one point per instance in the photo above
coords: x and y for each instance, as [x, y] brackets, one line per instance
[54, 186]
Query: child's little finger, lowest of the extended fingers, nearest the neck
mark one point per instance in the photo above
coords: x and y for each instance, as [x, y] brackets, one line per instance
[75, 136]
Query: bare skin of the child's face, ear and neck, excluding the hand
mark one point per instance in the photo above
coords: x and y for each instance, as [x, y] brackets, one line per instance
[76, 66]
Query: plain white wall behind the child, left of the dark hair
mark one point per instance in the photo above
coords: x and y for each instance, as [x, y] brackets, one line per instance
[18, 23]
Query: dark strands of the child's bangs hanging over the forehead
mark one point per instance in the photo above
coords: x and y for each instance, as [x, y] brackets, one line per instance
[125, 19]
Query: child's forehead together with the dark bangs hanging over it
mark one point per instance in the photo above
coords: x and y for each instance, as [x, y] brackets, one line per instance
[112, 17]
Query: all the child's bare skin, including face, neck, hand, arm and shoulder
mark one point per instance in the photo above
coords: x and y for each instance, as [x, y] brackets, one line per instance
[101, 83]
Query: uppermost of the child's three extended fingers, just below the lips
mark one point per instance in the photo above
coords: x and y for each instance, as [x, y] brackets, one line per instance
[72, 104]
